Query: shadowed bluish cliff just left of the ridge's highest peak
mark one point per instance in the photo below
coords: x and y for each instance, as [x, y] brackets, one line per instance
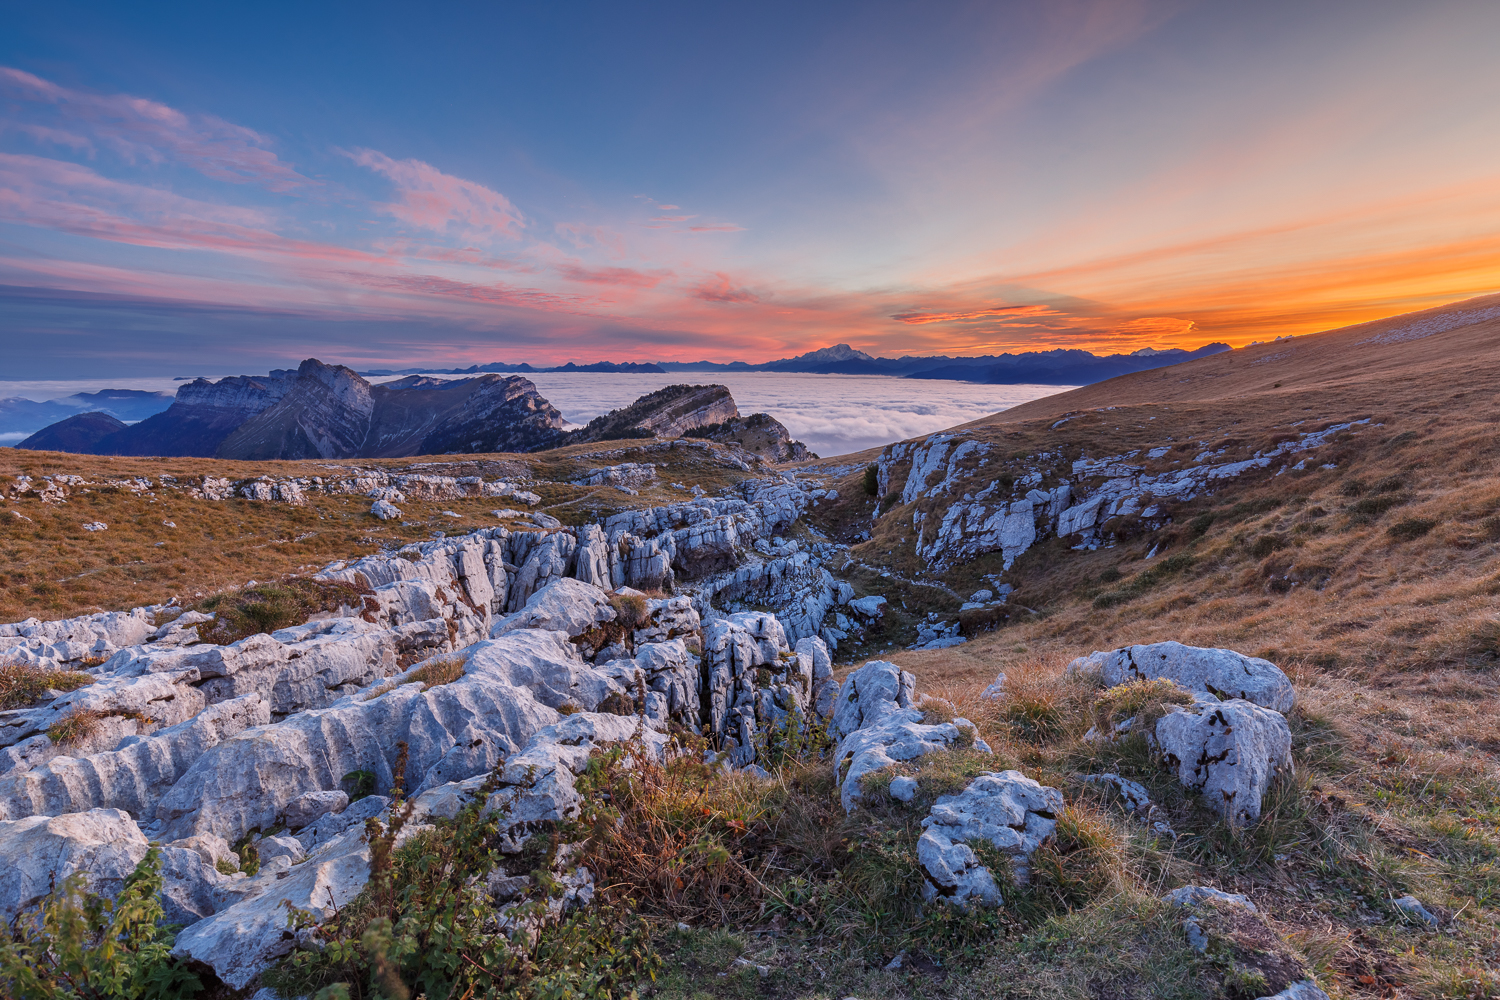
[202, 418]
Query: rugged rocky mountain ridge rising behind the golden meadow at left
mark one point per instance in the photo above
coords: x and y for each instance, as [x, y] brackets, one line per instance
[328, 412]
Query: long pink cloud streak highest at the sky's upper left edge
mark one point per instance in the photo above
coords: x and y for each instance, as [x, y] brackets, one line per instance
[142, 130]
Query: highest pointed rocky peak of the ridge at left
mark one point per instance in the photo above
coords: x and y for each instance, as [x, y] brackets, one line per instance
[326, 415]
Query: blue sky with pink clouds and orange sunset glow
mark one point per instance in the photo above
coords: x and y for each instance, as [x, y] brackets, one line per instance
[241, 187]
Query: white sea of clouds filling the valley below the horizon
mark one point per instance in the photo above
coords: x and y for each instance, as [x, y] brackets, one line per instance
[832, 415]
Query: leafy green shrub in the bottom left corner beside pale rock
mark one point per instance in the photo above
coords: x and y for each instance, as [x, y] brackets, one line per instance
[82, 947]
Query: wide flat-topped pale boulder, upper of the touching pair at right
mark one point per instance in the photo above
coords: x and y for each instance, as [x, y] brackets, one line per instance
[1223, 674]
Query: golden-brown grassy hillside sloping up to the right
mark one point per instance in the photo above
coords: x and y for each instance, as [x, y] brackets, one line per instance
[1391, 636]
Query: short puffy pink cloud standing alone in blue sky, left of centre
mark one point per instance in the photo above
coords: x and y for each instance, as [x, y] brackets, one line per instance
[433, 200]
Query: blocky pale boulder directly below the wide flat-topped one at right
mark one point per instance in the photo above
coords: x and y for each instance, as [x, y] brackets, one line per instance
[1229, 752]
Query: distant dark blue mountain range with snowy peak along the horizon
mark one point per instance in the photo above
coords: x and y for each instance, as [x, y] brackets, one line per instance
[1036, 368]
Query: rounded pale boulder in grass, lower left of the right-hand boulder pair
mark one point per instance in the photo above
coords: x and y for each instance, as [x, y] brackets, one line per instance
[1006, 809]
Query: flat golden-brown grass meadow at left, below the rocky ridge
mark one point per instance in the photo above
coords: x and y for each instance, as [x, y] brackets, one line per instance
[55, 569]
